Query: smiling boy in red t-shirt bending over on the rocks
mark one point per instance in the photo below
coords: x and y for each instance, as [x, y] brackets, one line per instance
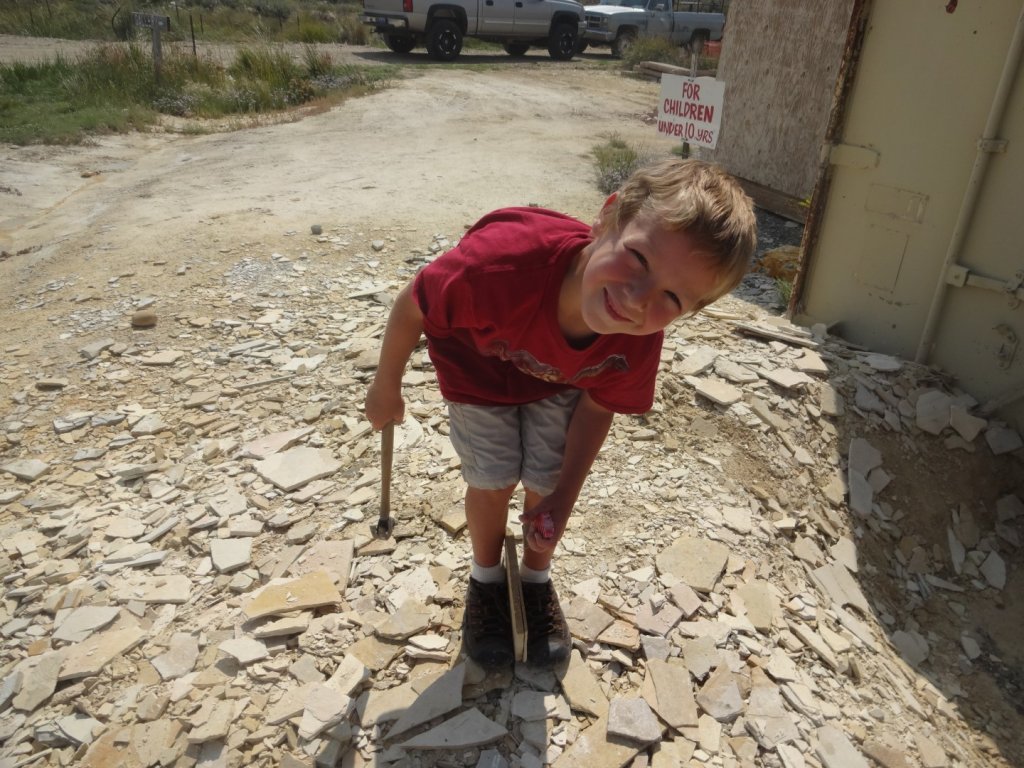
[541, 328]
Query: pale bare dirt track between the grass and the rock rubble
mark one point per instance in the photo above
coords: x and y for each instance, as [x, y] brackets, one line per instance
[430, 154]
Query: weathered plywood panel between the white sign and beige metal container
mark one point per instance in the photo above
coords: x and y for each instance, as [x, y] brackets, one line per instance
[780, 62]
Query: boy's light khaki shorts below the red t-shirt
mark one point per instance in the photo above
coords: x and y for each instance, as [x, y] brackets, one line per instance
[501, 446]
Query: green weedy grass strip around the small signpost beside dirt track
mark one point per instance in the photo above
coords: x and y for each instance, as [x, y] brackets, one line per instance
[114, 90]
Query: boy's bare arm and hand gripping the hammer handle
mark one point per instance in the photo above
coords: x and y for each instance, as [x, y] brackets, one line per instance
[405, 327]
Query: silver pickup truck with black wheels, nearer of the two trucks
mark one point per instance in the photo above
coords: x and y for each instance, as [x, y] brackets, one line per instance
[441, 26]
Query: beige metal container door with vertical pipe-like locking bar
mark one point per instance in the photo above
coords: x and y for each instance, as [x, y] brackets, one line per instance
[918, 244]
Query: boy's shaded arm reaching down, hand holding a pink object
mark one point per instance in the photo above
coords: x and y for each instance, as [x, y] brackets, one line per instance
[588, 429]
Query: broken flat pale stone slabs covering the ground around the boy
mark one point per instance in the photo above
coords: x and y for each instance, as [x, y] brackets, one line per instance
[190, 577]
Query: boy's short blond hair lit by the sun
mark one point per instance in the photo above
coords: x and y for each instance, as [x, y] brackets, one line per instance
[701, 199]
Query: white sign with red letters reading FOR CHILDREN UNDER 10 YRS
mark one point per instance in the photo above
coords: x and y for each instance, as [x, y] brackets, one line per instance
[692, 109]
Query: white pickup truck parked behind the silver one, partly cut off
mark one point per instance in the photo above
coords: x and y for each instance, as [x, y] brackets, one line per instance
[620, 23]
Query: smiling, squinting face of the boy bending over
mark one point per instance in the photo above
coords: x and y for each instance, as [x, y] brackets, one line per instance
[639, 279]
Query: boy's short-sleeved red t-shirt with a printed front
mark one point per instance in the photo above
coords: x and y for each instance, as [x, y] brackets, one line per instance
[491, 319]
